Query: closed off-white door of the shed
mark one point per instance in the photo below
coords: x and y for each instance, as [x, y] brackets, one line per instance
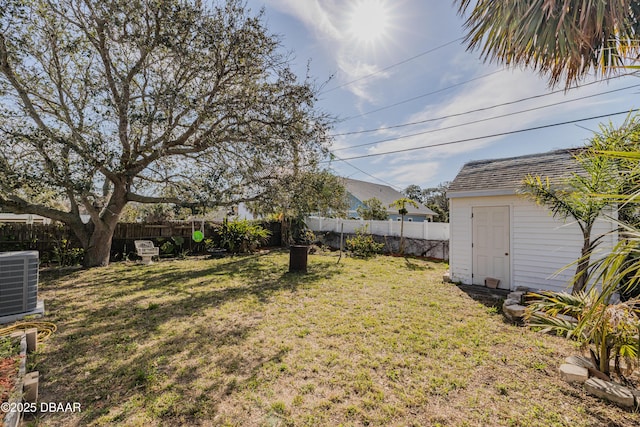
[490, 245]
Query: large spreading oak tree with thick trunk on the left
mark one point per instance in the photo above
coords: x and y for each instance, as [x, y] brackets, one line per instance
[105, 102]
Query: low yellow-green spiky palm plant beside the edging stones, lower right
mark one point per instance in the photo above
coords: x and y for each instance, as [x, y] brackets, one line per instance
[609, 330]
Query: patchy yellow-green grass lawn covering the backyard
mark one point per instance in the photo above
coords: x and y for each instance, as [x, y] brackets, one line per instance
[238, 341]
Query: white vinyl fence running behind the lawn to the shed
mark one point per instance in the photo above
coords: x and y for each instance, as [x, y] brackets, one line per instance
[415, 230]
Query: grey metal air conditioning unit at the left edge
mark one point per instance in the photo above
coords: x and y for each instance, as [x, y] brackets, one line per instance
[18, 282]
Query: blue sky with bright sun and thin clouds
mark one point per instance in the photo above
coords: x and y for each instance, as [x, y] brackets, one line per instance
[396, 75]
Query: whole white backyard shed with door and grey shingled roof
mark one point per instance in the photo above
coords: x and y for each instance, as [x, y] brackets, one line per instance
[496, 233]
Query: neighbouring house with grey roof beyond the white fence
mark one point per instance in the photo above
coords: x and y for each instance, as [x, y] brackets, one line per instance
[359, 191]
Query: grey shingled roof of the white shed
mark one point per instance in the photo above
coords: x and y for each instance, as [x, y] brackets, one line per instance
[505, 176]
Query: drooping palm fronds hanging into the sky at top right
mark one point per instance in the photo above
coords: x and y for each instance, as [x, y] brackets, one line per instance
[563, 38]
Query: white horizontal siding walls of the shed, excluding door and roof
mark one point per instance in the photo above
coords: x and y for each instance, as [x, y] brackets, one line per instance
[541, 245]
